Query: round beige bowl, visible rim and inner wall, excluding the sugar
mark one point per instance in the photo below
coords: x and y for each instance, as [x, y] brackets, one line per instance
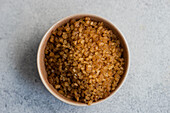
[41, 55]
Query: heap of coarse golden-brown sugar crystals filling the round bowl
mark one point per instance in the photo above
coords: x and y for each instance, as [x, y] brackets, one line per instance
[83, 60]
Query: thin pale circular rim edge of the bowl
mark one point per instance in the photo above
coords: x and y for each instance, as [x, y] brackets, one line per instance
[47, 84]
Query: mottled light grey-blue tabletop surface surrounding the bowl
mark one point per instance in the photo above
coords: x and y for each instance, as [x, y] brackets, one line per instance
[145, 23]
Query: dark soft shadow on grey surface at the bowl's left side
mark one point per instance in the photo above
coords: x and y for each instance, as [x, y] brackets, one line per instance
[27, 62]
